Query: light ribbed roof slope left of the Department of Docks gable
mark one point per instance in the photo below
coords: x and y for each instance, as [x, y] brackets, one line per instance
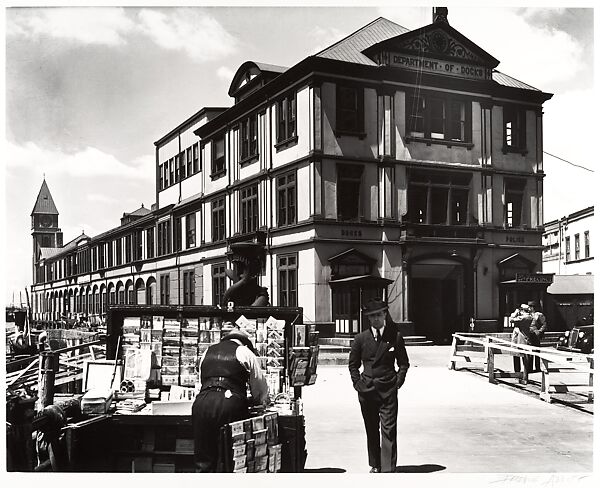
[349, 49]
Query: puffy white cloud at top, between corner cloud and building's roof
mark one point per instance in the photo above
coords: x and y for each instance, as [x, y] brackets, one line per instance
[192, 31]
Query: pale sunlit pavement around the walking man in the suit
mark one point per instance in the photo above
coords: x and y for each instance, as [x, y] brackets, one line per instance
[448, 422]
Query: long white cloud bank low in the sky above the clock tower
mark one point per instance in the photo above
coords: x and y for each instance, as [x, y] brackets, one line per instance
[89, 162]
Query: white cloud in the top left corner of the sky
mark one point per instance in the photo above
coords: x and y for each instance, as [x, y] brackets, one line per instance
[106, 26]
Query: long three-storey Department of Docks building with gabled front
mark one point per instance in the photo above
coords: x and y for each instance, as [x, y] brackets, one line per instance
[394, 162]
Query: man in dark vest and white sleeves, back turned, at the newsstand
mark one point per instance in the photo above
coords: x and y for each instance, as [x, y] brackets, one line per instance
[226, 370]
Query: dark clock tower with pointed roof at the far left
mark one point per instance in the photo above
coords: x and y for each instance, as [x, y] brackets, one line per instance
[44, 225]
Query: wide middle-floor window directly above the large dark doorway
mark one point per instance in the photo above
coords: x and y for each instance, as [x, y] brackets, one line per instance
[438, 198]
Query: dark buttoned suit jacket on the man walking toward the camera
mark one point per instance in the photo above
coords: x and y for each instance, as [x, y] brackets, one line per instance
[379, 373]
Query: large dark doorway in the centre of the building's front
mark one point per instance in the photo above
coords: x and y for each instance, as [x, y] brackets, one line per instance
[437, 299]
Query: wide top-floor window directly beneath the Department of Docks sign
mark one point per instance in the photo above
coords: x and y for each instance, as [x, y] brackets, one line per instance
[437, 117]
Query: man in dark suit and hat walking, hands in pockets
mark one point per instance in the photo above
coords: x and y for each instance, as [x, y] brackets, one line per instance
[378, 348]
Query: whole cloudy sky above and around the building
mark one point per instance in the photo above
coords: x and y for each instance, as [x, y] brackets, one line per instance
[89, 90]
